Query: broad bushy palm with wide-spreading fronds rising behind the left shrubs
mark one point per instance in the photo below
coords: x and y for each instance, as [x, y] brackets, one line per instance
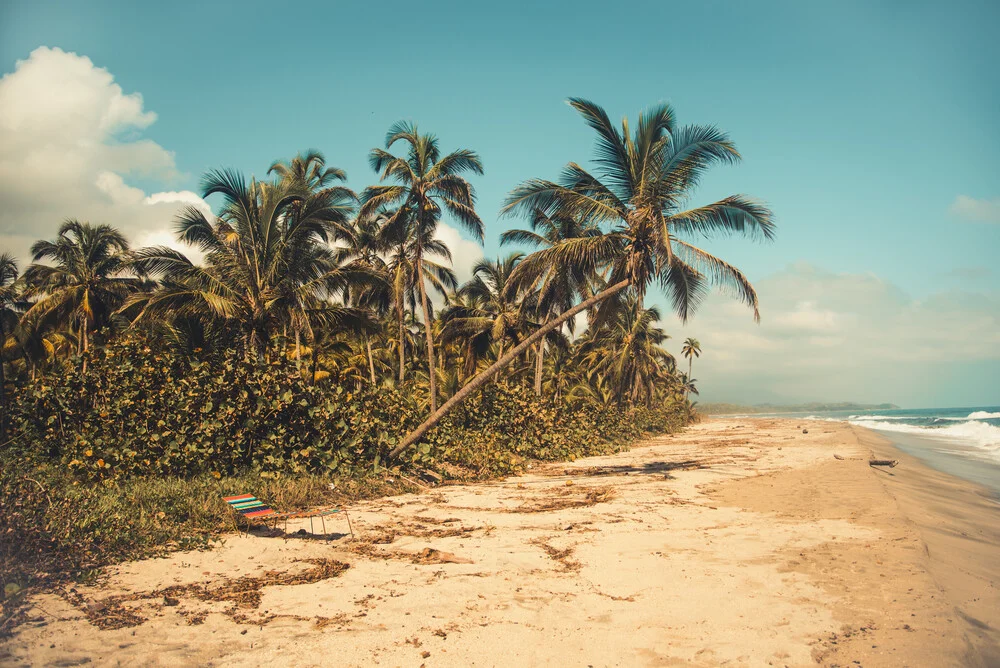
[267, 261]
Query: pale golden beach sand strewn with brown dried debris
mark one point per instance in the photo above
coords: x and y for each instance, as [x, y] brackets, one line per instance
[738, 542]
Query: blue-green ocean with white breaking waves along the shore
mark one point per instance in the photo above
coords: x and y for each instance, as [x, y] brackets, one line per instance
[963, 442]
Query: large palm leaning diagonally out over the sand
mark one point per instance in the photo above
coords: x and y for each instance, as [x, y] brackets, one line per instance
[642, 181]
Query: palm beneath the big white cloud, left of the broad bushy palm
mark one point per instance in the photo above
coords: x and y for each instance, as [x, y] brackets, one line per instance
[90, 279]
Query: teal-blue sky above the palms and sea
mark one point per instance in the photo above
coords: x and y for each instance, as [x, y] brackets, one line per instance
[868, 127]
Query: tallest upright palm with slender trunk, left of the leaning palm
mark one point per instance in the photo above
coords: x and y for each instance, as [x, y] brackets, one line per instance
[426, 185]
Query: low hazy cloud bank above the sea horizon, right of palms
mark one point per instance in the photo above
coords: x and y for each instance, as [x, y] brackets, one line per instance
[847, 337]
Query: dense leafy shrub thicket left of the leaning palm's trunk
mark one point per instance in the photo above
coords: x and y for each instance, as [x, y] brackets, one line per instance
[143, 412]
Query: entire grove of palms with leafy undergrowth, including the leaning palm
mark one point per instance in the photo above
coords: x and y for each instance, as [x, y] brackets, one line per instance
[312, 327]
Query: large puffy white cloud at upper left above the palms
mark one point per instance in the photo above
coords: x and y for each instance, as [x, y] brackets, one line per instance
[69, 139]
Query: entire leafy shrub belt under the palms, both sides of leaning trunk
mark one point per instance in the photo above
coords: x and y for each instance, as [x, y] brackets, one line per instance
[139, 412]
